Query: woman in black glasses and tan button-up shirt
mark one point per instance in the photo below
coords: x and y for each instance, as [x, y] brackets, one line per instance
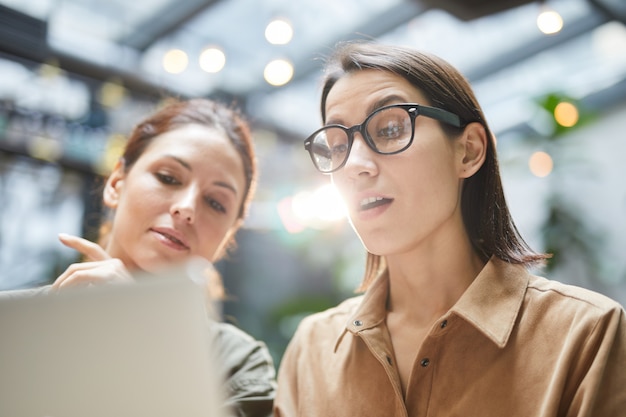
[451, 322]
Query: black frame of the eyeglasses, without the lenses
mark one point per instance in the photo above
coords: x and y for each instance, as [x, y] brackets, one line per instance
[413, 110]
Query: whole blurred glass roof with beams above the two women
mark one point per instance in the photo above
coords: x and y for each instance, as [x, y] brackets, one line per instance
[505, 56]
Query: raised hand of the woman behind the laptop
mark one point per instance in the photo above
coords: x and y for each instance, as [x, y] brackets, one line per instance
[100, 269]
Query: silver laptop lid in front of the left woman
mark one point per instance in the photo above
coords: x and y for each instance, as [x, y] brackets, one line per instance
[117, 350]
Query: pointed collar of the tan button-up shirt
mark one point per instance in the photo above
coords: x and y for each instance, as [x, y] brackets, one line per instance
[491, 303]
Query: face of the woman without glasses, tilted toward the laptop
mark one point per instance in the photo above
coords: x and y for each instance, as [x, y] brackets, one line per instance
[181, 198]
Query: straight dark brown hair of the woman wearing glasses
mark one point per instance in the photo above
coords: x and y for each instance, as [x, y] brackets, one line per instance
[486, 216]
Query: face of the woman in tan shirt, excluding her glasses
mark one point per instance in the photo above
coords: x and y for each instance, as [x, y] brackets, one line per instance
[401, 202]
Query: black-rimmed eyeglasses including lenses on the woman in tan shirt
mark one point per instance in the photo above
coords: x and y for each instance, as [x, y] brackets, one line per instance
[386, 131]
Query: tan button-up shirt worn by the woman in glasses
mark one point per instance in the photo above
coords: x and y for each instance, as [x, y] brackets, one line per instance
[513, 345]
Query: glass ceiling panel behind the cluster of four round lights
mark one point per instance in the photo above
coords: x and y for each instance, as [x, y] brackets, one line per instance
[238, 26]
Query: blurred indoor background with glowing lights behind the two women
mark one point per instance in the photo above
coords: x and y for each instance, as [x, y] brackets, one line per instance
[76, 75]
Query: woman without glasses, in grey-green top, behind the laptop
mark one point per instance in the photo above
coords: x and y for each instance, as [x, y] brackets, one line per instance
[180, 190]
